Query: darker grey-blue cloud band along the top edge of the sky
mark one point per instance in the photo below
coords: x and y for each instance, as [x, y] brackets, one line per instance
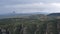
[13, 2]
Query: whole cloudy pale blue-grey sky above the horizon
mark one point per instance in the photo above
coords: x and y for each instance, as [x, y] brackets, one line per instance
[29, 6]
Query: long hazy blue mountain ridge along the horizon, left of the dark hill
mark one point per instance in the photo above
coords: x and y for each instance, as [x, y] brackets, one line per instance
[20, 14]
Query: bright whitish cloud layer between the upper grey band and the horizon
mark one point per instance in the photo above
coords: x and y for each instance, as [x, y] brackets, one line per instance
[35, 7]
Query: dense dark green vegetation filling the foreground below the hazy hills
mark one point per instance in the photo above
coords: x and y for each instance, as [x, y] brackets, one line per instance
[33, 25]
